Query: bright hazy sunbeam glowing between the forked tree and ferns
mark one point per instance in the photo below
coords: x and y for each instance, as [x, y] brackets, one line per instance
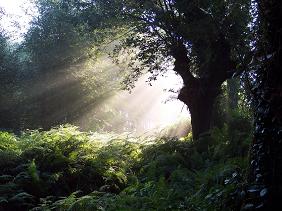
[145, 110]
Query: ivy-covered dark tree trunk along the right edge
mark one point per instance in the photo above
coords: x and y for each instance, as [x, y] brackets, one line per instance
[265, 177]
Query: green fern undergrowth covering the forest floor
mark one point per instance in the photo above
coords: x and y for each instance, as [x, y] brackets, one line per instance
[65, 169]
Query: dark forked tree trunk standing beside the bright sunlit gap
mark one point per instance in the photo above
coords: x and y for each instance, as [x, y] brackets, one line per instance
[199, 93]
